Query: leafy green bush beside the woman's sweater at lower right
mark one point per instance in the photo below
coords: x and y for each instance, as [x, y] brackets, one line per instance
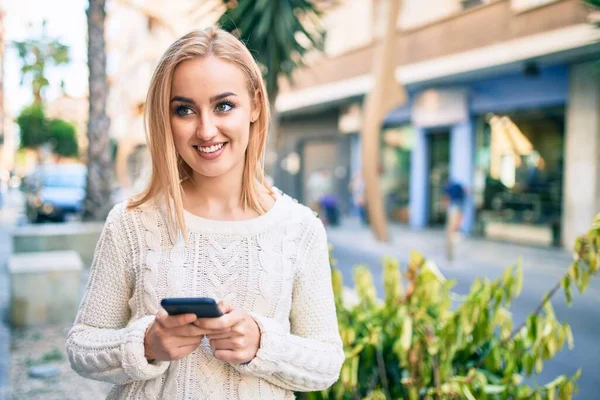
[424, 342]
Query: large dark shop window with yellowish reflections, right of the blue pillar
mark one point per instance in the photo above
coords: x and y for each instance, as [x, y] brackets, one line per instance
[519, 174]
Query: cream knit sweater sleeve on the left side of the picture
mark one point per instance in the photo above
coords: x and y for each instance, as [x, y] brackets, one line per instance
[103, 343]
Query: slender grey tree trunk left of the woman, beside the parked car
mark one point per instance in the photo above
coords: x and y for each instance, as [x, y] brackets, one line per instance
[98, 196]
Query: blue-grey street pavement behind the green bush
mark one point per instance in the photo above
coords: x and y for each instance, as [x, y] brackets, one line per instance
[353, 244]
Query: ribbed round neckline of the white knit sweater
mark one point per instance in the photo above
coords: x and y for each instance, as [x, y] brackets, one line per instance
[238, 227]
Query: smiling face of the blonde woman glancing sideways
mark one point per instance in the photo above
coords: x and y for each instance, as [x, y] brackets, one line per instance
[211, 111]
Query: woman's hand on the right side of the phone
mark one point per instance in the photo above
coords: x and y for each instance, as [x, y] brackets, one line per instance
[241, 343]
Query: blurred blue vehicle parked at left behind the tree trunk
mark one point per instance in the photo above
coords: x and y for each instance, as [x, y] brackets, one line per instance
[55, 192]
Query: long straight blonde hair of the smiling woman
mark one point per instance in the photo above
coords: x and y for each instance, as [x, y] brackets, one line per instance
[168, 169]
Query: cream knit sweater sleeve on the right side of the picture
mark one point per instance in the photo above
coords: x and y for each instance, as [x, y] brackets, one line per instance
[311, 356]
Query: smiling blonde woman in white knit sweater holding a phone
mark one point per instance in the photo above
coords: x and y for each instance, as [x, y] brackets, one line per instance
[208, 226]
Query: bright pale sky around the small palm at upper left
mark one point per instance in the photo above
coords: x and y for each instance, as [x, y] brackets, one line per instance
[66, 21]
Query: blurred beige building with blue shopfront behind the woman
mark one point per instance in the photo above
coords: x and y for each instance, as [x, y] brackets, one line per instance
[503, 98]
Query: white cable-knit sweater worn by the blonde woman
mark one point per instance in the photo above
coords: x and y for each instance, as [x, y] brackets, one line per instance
[274, 266]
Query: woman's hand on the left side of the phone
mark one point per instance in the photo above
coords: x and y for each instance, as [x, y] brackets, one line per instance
[171, 337]
